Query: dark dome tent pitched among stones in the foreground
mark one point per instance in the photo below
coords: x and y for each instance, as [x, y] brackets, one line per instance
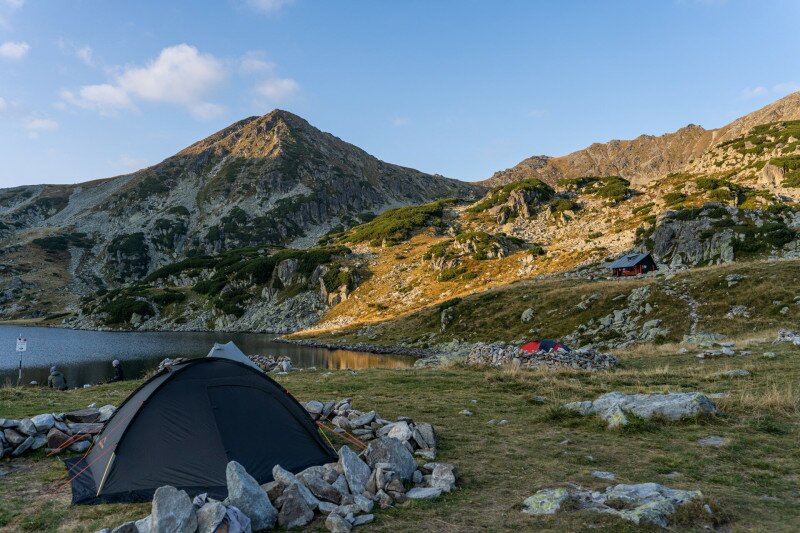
[185, 424]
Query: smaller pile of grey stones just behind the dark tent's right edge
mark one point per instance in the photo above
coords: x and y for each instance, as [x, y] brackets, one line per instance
[419, 438]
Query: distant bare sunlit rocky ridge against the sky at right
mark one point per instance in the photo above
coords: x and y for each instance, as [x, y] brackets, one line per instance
[647, 157]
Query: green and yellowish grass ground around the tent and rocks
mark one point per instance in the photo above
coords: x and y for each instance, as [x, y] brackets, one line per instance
[752, 482]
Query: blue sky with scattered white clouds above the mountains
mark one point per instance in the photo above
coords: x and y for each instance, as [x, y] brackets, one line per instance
[91, 89]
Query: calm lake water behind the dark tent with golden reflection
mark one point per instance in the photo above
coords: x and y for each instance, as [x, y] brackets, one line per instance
[85, 356]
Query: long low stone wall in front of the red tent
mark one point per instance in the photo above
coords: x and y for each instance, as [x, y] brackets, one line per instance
[501, 354]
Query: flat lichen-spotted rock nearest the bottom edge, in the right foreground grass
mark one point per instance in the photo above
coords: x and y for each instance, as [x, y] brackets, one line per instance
[643, 503]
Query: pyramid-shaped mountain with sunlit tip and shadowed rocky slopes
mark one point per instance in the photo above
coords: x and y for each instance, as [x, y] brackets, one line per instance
[270, 180]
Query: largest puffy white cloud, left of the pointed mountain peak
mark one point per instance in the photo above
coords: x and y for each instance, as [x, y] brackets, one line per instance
[179, 75]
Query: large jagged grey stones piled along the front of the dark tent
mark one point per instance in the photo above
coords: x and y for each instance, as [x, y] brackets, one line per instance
[343, 493]
